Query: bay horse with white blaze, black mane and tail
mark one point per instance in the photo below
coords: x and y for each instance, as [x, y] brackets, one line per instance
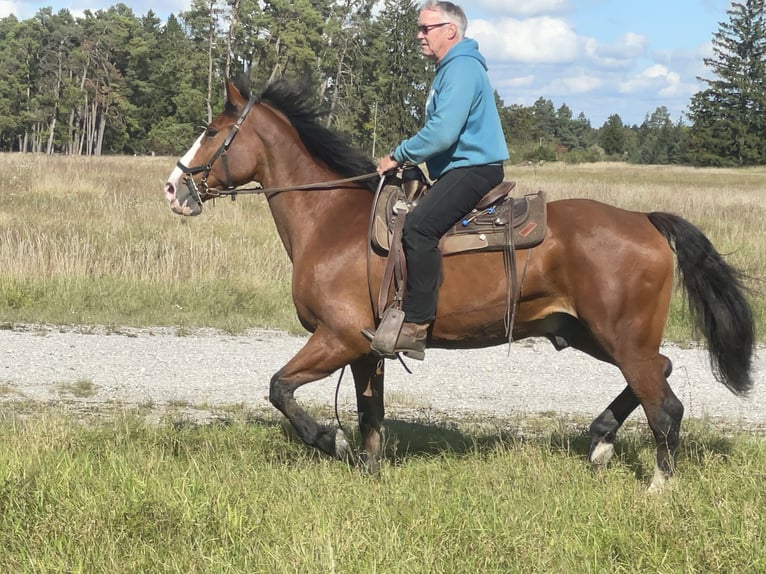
[600, 282]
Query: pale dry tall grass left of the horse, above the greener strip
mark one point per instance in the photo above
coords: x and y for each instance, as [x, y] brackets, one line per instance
[107, 216]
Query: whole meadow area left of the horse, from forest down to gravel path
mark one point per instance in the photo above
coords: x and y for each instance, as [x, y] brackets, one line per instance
[91, 240]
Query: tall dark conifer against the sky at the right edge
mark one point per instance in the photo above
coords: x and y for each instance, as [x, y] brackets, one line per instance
[728, 123]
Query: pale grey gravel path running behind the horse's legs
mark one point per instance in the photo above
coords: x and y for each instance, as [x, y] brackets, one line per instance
[208, 369]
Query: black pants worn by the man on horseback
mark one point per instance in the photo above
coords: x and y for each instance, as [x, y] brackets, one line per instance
[450, 199]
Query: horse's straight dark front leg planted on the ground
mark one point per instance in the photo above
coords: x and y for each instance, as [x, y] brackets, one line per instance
[368, 373]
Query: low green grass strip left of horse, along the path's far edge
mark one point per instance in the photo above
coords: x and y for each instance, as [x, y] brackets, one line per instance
[110, 300]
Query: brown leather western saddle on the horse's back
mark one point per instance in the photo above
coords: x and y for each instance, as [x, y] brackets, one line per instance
[498, 222]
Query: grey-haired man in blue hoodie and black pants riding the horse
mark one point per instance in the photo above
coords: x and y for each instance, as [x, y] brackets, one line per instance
[463, 147]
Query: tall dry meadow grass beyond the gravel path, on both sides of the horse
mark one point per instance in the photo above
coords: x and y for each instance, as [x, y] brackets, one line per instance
[91, 240]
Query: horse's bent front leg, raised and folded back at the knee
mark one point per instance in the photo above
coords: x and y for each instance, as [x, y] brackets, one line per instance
[322, 355]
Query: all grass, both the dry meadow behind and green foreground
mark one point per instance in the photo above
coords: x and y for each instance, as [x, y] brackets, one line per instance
[91, 241]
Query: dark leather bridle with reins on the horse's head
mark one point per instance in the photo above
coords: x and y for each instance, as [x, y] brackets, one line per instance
[203, 192]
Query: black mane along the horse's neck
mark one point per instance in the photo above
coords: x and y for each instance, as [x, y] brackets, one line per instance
[299, 104]
